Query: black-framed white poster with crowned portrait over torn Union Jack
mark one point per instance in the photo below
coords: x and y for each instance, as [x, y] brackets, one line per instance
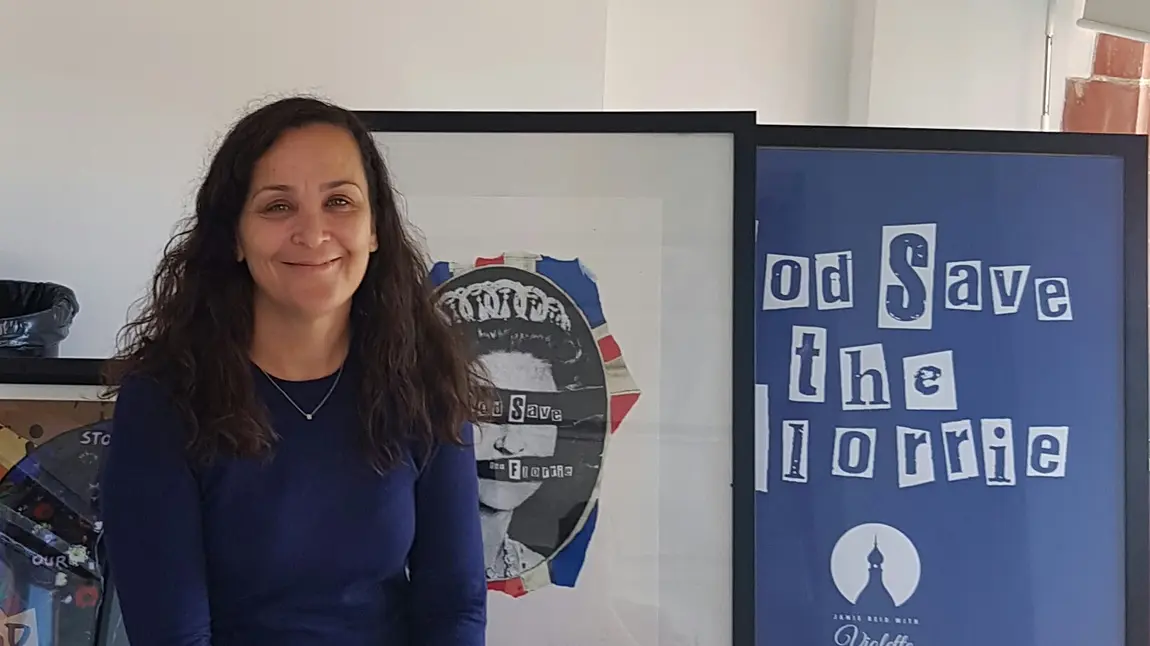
[589, 258]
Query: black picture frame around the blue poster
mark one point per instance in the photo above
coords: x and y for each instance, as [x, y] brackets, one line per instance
[1133, 152]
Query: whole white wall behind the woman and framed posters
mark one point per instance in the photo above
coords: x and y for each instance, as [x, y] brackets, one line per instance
[109, 110]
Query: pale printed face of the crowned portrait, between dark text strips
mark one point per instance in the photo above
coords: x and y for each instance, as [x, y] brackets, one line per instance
[523, 374]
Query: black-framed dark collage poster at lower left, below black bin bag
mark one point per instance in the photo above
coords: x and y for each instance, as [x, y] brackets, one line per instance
[55, 428]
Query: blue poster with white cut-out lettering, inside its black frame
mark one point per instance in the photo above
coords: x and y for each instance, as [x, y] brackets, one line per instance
[940, 399]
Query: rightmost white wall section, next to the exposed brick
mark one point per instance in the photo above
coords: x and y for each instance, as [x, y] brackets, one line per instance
[964, 64]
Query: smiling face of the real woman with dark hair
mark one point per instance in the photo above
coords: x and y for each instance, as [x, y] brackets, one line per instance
[306, 232]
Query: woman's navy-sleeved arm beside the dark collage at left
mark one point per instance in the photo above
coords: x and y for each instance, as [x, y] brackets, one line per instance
[152, 529]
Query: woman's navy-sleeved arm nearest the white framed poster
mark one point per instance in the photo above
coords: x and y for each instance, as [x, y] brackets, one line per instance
[449, 588]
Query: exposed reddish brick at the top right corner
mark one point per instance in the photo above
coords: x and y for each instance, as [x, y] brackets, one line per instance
[1116, 98]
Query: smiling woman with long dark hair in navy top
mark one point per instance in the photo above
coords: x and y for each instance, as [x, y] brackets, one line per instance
[289, 386]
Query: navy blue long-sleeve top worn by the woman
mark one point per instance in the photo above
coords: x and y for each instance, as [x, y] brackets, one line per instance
[309, 549]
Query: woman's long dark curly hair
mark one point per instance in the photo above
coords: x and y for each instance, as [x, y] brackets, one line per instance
[194, 332]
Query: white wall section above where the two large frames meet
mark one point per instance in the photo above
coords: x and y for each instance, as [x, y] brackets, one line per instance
[787, 59]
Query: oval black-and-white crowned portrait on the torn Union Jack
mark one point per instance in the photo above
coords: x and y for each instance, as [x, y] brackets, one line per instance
[540, 445]
